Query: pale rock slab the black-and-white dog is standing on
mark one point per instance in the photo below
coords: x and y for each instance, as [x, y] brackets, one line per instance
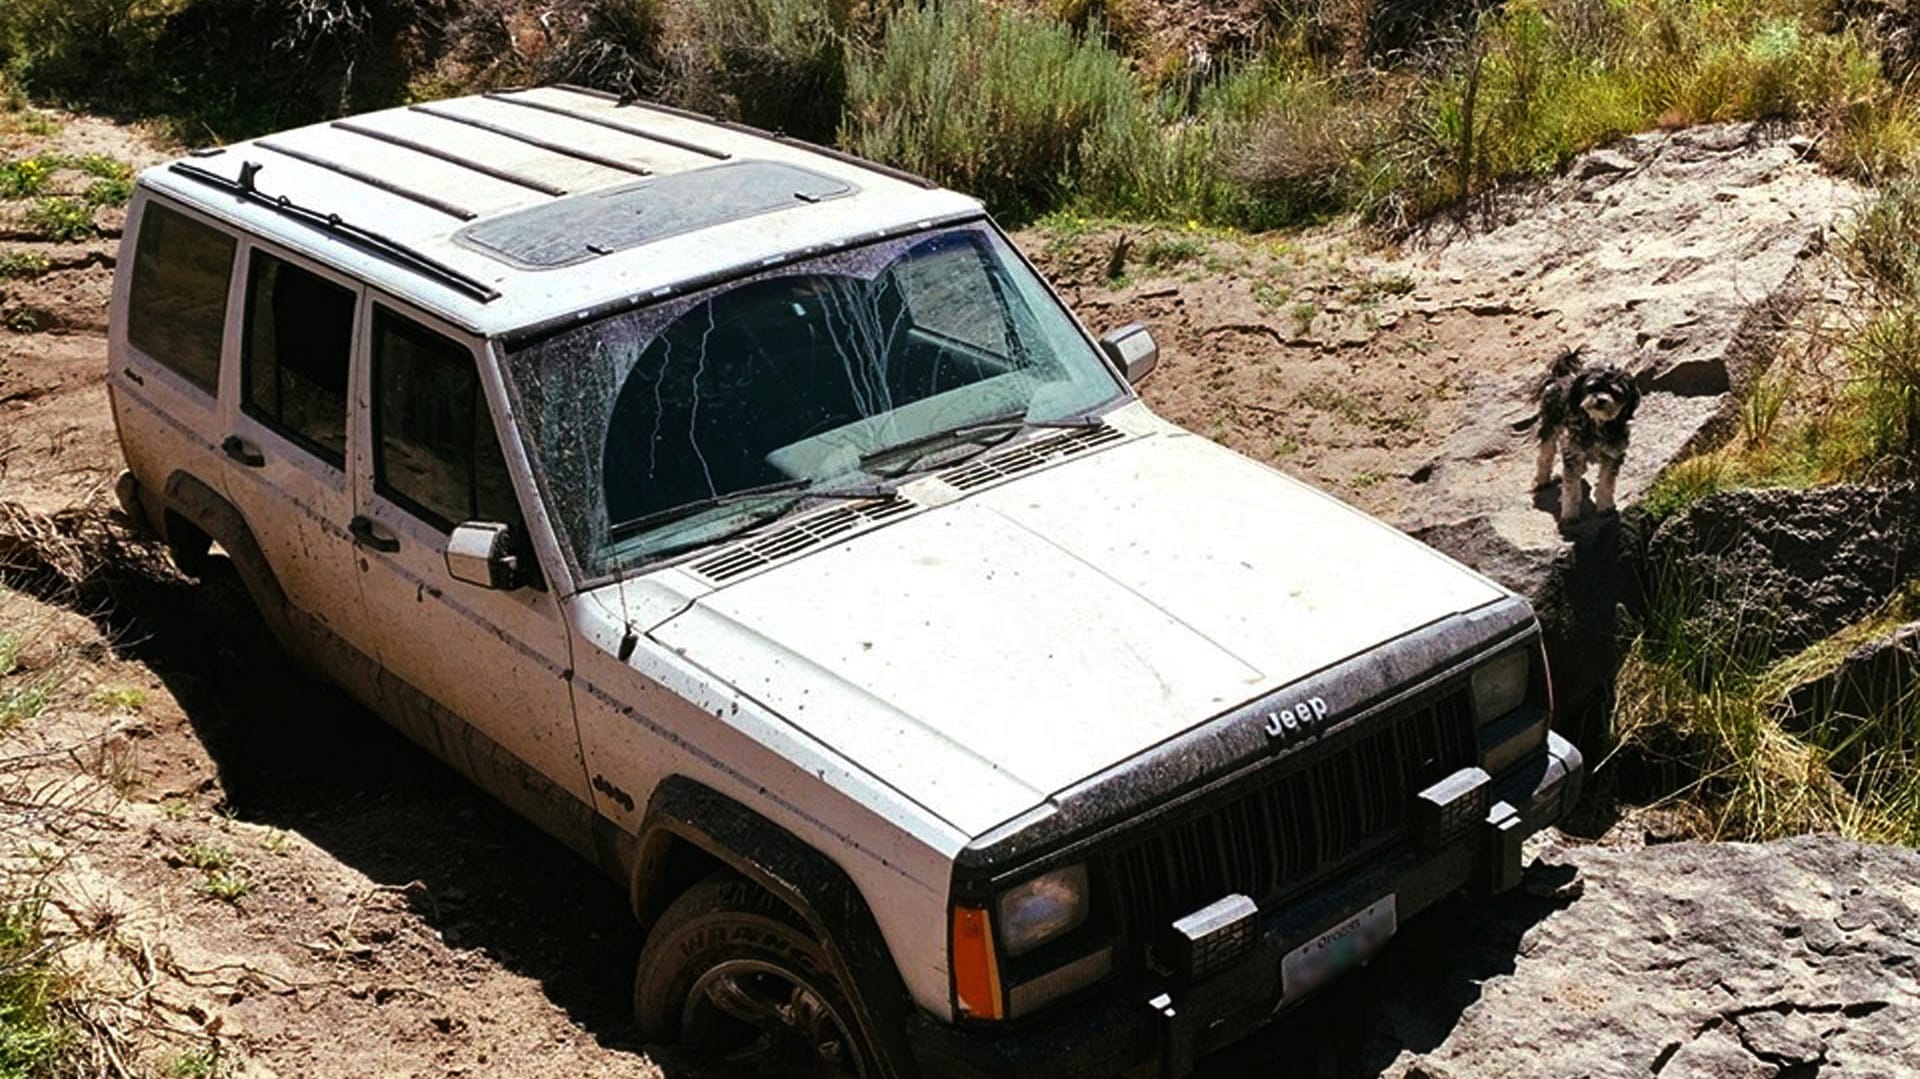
[1675, 256]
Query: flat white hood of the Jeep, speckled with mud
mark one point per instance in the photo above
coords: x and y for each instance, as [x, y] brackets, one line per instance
[992, 652]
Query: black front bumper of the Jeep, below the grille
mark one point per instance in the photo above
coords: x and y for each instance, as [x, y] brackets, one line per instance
[1151, 1026]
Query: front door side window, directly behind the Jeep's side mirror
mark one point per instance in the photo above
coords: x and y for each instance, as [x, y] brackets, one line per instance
[435, 446]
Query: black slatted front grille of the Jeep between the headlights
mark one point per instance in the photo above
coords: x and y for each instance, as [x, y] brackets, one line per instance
[1291, 827]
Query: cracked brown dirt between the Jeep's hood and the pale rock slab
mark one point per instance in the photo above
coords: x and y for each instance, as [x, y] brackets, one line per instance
[1314, 352]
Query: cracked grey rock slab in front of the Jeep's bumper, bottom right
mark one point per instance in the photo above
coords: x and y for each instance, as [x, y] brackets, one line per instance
[1691, 961]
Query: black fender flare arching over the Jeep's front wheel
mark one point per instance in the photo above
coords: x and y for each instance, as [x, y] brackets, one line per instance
[800, 876]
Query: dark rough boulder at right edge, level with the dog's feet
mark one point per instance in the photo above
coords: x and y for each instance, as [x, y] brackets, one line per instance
[1769, 573]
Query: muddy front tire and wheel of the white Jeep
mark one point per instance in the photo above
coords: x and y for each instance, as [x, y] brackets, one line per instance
[731, 974]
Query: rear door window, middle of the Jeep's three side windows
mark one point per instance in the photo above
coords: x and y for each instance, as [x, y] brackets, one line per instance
[295, 366]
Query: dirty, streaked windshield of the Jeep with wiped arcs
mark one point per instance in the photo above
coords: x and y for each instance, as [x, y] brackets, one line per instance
[684, 421]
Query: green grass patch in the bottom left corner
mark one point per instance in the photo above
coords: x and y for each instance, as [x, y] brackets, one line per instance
[37, 1032]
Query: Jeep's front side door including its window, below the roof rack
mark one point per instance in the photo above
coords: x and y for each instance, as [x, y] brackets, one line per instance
[498, 659]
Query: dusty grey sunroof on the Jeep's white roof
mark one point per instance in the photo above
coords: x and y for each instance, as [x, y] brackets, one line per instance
[600, 224]
